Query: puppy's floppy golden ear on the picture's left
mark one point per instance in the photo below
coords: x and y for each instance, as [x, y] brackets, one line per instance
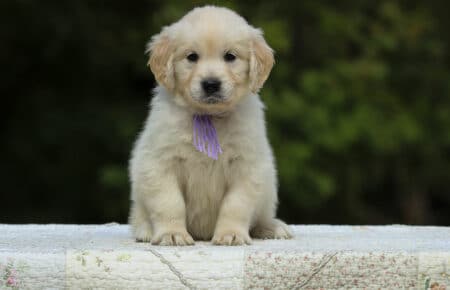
[160, 49]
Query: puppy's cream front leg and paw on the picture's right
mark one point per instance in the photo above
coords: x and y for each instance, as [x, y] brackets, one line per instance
[235, 216]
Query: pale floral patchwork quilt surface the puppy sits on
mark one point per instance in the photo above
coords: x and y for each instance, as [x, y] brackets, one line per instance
[330, 257]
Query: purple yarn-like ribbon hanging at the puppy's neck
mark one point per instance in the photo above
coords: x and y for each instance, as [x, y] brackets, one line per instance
[205, 136]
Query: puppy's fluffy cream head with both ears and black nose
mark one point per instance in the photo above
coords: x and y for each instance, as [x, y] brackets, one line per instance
[210, 59]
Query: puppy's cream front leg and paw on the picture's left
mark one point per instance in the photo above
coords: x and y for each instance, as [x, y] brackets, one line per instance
[164, 203]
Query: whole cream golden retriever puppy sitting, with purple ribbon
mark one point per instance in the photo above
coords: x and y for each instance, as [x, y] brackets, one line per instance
[202, 168]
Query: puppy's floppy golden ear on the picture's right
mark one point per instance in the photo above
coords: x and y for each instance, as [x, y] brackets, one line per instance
[261, 61]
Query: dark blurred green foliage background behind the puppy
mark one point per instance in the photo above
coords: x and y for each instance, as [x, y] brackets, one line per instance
[358, 106]
